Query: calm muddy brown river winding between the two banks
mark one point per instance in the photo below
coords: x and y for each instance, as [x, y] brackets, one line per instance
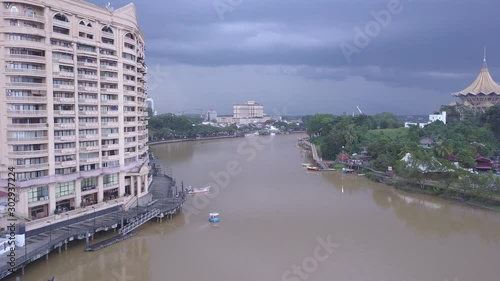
[280, 222]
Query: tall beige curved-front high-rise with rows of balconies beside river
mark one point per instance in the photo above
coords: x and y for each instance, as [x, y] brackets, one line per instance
[73, 112]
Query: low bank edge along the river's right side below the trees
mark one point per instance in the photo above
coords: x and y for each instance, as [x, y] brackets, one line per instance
[429, 187]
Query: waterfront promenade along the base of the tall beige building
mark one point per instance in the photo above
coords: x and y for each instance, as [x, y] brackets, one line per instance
[163, 196]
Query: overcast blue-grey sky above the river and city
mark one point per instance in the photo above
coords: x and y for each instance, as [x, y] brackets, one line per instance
[293, 55]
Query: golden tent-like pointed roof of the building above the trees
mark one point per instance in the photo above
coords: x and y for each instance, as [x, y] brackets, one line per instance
[483, 93]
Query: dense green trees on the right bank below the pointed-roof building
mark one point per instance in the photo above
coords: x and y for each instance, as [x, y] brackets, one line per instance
[386, 142]
